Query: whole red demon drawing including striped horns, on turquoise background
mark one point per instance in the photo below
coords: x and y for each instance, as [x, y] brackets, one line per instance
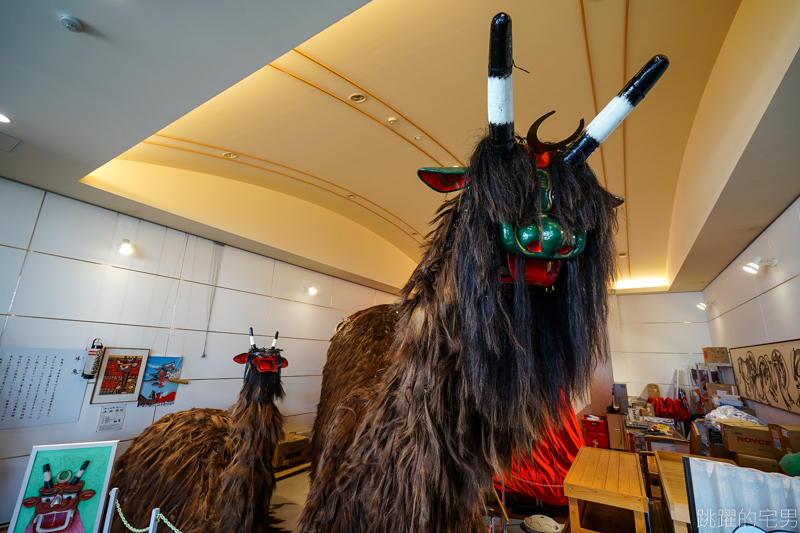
[56, 507]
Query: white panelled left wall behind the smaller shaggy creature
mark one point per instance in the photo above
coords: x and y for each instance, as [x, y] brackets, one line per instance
[59, 256]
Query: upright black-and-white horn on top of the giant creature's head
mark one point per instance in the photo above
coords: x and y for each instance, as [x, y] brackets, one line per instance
[500, 90]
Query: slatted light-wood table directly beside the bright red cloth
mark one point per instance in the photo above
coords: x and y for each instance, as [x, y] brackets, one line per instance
[607, 477]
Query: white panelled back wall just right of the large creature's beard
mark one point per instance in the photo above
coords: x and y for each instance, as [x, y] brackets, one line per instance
[652, 335]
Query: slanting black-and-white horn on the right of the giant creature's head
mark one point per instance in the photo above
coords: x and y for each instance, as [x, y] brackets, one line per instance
[615, 112]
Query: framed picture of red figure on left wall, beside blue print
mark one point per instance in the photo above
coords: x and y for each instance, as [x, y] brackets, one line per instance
[121, 375]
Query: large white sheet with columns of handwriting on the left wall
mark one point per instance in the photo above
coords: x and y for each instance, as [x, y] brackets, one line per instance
[40, 386]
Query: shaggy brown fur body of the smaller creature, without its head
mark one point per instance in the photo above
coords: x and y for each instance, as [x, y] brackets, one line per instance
[208, 470]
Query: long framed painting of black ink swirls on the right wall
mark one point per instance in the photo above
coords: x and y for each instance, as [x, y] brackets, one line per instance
[769, 373]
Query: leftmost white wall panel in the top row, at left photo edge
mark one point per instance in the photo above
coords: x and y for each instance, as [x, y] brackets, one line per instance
[19, 208]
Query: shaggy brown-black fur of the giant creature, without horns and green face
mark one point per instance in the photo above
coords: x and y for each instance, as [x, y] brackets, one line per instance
[424, 401]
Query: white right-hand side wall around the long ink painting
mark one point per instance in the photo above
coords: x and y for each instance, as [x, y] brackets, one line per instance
[765, 307]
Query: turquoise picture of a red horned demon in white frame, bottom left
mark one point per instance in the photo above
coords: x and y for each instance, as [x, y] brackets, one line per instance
[64, 488]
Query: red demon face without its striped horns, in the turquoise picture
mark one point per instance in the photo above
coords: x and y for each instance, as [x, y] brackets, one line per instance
[55, 508]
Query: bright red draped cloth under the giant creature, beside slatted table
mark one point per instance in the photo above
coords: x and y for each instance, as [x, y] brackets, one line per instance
[542, 477]
